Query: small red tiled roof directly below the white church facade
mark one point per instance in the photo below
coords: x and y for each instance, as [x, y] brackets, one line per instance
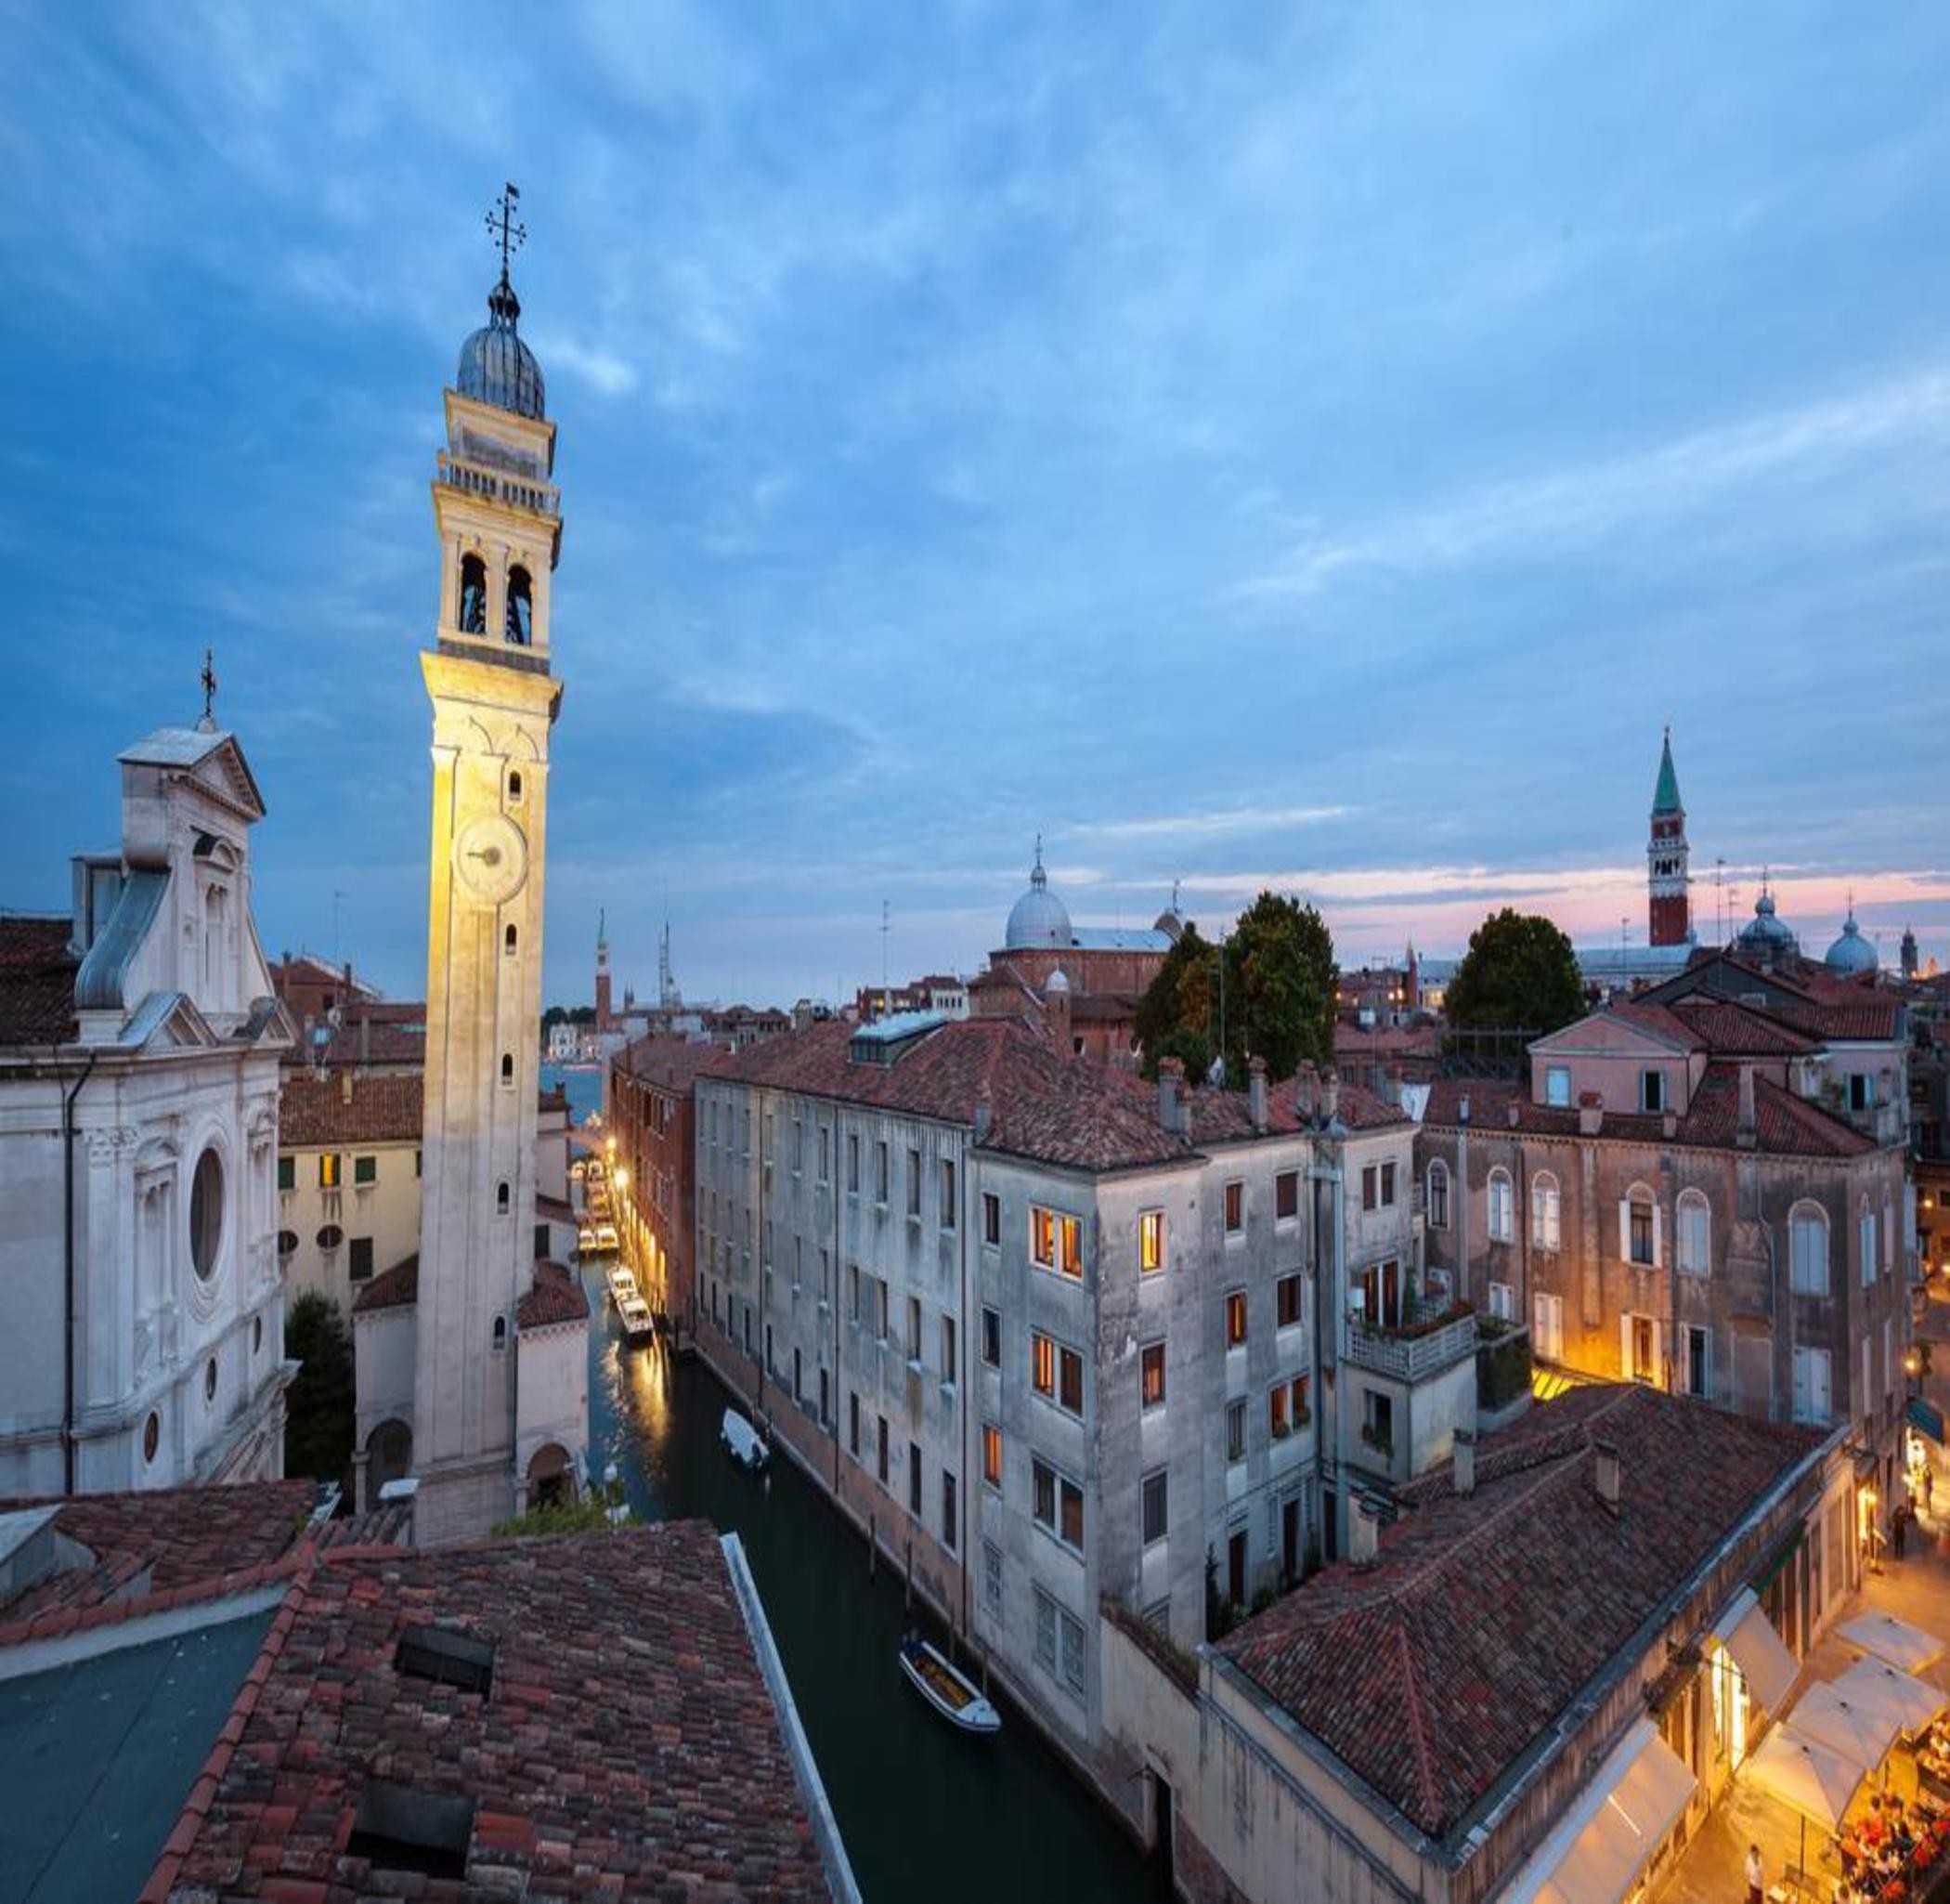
[169, 1542]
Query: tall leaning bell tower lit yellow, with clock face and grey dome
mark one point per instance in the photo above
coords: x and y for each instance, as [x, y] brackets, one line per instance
[494, 703]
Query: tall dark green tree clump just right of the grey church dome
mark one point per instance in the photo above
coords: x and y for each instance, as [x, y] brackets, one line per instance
[1276, 1000]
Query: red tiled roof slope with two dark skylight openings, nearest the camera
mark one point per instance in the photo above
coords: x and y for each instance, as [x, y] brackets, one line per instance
[627, 1747]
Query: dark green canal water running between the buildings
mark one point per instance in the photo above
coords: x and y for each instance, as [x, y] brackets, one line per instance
[927, 1813]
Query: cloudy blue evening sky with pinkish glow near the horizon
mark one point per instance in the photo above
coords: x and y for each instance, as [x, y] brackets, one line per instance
[1309, 448]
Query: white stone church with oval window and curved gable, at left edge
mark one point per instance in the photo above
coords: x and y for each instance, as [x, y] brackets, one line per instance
[139, 1064]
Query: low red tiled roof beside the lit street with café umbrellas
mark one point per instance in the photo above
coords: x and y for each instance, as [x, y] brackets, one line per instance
[1430, 1673]
